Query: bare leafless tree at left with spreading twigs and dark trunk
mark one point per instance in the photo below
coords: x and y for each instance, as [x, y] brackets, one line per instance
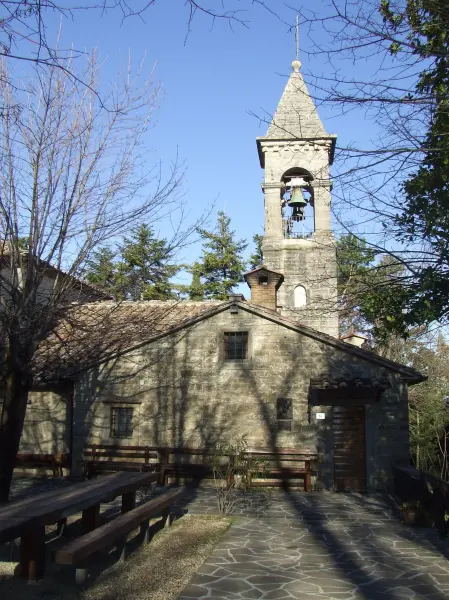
[72, 177]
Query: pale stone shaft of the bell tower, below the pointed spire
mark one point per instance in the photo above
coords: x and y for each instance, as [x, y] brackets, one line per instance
[309, 262]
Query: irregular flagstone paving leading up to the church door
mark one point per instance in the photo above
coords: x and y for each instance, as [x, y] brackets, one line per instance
[320, 546]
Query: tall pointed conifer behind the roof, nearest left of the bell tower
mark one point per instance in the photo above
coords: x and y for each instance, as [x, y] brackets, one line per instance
[222, 265]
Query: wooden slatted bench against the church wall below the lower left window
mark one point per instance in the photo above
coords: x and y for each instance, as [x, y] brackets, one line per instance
[104, 458]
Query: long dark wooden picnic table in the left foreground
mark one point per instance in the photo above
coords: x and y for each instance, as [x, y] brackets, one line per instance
[28, 518]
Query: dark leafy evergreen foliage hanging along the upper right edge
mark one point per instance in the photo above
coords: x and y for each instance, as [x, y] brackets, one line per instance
[426, 207]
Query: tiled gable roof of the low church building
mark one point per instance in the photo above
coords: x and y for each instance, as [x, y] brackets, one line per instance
[94, 332]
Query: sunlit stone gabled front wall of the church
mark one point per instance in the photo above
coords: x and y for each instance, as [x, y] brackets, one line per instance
[184, 393]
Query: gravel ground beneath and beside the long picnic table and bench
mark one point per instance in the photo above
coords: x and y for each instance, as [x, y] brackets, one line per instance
[158, 571]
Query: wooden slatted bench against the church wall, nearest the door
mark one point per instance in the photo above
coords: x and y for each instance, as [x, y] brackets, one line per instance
[281, 472]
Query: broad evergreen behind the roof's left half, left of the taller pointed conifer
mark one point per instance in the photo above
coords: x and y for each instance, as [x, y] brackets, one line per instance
[146, 267]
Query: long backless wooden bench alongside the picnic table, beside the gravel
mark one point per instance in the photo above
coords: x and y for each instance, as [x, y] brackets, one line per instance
[80, 549]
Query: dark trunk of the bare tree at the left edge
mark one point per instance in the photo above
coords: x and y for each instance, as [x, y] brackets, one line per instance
[11, 426]
